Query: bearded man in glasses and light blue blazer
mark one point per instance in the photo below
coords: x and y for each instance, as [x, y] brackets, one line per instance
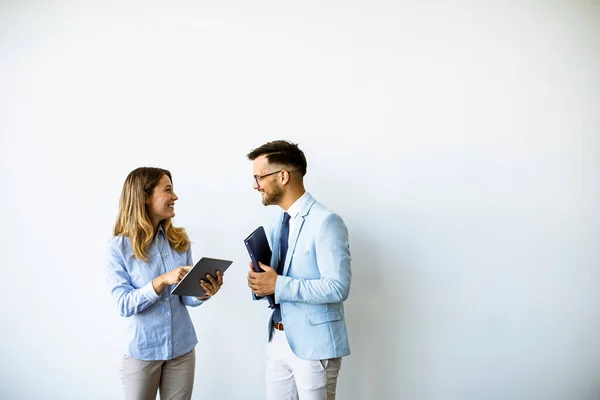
[309, 277]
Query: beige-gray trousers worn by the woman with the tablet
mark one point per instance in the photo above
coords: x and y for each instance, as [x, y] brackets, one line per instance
[142, 379]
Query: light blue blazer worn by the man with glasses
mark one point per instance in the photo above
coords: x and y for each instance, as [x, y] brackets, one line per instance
[315, 281]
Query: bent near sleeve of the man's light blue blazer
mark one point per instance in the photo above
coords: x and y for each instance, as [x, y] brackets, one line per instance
[333, 261]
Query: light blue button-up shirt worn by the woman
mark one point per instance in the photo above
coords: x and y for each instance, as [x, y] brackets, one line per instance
[159, 327]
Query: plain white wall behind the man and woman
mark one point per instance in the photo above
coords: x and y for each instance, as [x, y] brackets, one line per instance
[459, 142]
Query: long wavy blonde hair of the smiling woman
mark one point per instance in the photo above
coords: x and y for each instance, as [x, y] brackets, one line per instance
[133, 220]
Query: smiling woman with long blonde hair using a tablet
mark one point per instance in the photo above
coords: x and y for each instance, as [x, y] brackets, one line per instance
[147, 257]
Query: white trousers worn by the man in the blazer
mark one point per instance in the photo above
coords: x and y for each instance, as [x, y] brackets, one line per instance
[289, 377]
